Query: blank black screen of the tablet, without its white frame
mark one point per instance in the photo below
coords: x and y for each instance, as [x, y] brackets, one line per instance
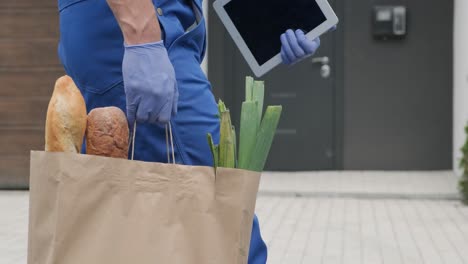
[261, 22]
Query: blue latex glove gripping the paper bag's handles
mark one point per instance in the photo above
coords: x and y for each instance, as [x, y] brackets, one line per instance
[150, 84]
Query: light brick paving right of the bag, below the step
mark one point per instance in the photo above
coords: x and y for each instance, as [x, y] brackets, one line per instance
[361, 231]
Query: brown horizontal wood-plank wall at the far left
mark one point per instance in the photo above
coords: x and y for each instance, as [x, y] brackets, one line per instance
[28, 69]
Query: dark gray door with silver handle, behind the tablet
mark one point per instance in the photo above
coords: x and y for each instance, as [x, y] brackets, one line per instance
[305, 137]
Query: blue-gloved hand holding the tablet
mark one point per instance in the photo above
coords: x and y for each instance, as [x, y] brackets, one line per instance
[295, 46]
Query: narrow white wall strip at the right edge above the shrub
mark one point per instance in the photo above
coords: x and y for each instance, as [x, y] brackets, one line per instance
[460, 95]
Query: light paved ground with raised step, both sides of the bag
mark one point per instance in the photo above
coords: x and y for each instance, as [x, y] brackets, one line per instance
[401, 218]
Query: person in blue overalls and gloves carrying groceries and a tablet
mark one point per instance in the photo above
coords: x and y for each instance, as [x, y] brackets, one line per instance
[144, 57]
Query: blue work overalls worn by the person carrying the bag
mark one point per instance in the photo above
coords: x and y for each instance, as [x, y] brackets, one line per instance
[91, 51]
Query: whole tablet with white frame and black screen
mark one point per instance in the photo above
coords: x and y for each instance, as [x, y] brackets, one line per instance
[256, 26]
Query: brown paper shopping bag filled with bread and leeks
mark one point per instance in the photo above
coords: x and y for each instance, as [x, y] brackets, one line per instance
[93, 210]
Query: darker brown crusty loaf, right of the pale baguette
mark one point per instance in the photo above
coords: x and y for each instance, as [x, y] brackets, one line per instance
[107, 133]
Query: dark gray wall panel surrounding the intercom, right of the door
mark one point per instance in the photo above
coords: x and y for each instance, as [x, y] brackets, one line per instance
[398, 94]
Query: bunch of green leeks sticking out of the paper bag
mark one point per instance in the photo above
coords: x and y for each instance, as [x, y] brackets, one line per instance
[256, 133]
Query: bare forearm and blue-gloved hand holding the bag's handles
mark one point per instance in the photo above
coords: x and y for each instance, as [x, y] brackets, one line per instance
[148, 75]
